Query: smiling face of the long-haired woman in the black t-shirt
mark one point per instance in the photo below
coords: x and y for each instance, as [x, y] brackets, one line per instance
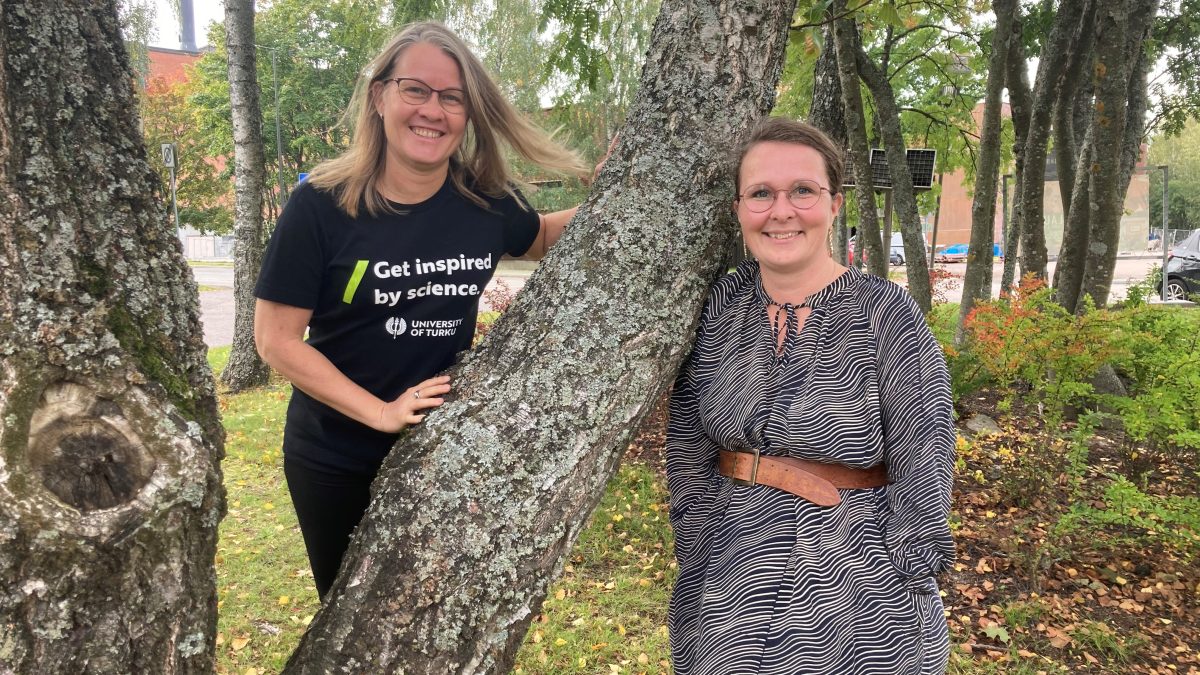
[422, 139]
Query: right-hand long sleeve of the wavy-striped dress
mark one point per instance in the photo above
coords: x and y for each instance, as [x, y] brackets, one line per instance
[919, 440]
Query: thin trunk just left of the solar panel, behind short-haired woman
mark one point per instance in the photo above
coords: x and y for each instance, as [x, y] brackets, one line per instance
[847, 46]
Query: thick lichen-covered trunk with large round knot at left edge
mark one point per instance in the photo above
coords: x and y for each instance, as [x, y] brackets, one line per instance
[110, 485]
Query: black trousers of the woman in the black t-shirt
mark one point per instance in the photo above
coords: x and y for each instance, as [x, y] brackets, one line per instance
[329, 506]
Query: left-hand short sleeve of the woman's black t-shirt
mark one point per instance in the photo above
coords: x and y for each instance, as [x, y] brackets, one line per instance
[295, 262]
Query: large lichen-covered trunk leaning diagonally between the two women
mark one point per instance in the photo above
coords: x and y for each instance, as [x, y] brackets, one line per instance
[476, 509]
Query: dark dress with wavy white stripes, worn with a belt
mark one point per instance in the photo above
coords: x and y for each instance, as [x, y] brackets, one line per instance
[770, 583]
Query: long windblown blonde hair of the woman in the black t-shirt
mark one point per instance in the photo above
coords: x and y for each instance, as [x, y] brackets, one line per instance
[355, 176]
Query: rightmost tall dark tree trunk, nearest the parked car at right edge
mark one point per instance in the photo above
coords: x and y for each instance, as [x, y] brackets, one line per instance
[1120, 80]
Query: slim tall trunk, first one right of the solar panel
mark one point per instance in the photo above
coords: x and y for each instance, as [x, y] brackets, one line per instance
[977, 280]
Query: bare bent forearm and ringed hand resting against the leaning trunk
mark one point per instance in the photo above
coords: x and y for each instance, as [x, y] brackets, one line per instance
[279, 336]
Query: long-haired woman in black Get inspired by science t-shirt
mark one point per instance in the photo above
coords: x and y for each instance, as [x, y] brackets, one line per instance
[382, 256]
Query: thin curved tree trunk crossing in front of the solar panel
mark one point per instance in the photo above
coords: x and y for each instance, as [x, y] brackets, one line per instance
[889, 116]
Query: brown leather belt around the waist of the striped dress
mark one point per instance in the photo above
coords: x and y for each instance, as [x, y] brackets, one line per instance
[814, 481]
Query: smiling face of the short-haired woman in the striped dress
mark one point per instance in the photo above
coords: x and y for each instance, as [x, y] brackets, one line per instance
[787, 240]
